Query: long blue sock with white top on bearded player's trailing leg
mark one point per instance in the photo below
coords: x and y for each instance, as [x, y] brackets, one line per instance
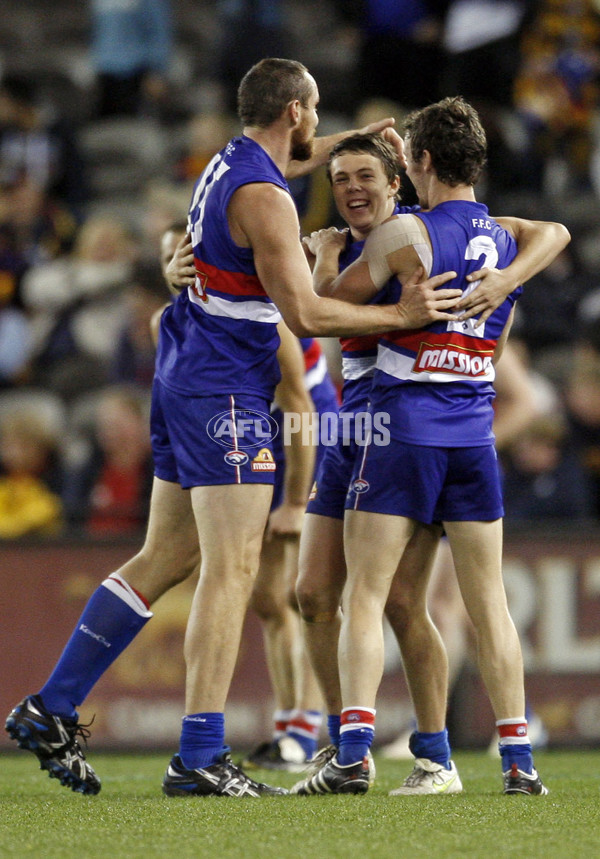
[110, 621]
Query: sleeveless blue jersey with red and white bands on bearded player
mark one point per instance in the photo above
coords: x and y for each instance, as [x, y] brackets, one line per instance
[220, 335]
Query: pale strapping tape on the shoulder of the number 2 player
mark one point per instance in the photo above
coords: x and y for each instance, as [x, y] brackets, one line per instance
[401, 232]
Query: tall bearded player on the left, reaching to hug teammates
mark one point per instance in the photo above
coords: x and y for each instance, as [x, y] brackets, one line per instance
[216, 371]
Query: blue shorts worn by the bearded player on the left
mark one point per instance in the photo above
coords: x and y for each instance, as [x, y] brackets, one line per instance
[213, 440]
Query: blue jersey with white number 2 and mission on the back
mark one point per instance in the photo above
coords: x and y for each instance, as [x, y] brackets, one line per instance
[436, 383]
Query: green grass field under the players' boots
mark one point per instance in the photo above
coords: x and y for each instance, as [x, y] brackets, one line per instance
[131, 818]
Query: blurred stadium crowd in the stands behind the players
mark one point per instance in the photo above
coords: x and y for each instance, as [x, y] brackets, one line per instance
[97, 160]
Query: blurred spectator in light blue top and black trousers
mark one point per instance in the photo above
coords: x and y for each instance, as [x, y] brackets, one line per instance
[132, 42]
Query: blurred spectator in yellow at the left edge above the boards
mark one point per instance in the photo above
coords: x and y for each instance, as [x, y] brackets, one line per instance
[30, 476]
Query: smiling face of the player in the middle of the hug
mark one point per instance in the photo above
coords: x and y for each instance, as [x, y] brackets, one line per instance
[363, 194]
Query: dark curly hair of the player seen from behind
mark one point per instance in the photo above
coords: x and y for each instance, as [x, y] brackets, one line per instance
[452, 133]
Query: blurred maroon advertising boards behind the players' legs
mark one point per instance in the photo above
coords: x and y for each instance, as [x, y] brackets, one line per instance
[553, 581]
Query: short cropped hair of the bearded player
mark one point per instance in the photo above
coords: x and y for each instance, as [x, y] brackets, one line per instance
[268, 87]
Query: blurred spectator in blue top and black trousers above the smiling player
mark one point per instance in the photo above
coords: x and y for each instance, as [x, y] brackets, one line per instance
[399, 54]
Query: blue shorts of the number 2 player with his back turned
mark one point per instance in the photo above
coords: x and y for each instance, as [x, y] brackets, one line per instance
[429, 484]
